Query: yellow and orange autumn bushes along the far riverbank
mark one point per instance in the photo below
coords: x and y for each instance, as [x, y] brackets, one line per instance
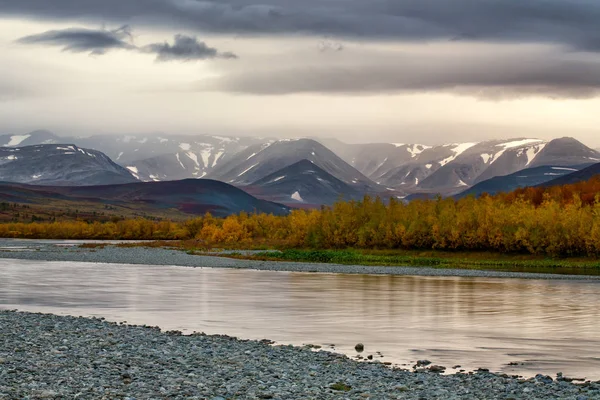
[557, 222]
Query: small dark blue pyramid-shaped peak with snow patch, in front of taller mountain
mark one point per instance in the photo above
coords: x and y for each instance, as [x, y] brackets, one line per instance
[303, 183]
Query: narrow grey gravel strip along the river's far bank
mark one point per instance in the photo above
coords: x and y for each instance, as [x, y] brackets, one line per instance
[49, 251]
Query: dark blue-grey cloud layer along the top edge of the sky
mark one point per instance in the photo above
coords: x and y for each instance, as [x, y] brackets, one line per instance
[572, 23]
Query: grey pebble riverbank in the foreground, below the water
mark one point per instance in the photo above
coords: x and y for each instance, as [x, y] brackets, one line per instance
[54, 357]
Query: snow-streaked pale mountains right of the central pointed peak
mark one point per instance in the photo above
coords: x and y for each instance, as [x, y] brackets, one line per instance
[451, 167]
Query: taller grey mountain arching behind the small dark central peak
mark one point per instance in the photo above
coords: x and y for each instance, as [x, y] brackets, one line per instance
[260, 161]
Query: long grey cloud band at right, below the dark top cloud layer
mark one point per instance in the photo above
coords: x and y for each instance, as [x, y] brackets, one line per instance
[487, 76]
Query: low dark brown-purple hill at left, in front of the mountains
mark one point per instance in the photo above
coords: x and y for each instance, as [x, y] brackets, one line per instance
[190, 196]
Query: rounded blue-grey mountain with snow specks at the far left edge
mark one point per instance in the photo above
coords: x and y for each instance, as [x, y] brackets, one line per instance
[61, 164]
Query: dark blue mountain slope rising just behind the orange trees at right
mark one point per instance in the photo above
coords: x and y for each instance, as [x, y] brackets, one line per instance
[527, 177]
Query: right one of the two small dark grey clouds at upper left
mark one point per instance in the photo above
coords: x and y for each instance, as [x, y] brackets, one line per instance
[185, 48]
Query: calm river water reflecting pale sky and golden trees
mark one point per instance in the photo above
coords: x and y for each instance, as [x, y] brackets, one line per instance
[549, 326]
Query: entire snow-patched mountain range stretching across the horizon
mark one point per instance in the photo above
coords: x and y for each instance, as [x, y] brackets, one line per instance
[299, 172]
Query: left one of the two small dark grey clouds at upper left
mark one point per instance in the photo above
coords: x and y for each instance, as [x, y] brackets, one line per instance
[81, 40]
